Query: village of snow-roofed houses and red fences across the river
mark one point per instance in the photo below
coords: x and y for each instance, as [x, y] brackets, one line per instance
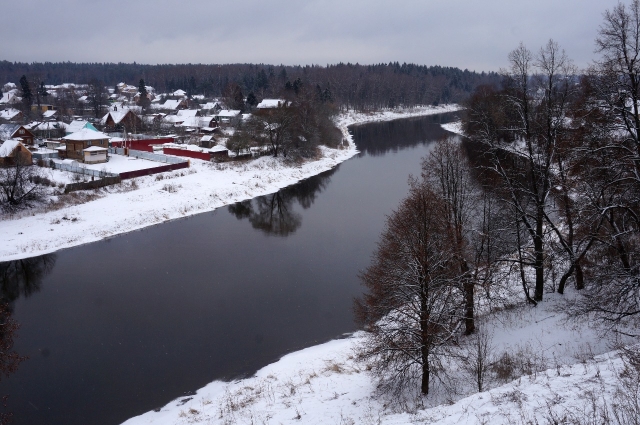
[95, 136]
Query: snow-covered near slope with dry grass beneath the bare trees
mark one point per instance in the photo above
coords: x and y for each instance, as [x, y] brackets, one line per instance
[326, 385]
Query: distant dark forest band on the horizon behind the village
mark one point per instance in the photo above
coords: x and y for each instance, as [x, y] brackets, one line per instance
[351, 86]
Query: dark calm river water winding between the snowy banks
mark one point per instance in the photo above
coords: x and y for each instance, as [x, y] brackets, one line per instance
[116, 328]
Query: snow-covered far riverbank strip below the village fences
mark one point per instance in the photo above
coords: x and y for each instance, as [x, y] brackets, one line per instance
[152, 200]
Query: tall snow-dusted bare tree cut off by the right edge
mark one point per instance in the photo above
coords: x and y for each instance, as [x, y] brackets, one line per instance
[611, 143]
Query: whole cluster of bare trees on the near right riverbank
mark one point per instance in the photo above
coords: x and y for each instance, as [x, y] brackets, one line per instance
[552, 202]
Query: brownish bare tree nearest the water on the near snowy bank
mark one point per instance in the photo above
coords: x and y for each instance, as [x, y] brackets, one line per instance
[412, 309]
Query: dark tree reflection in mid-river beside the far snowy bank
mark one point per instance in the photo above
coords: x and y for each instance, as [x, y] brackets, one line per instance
[274, 214]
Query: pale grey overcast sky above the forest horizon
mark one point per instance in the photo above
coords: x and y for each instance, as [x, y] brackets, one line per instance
[469, 34]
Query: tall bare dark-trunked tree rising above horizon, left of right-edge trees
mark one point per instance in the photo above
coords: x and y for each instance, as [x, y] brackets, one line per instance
[523, 125]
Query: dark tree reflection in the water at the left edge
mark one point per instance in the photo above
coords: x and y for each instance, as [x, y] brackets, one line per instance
[17, 278]
